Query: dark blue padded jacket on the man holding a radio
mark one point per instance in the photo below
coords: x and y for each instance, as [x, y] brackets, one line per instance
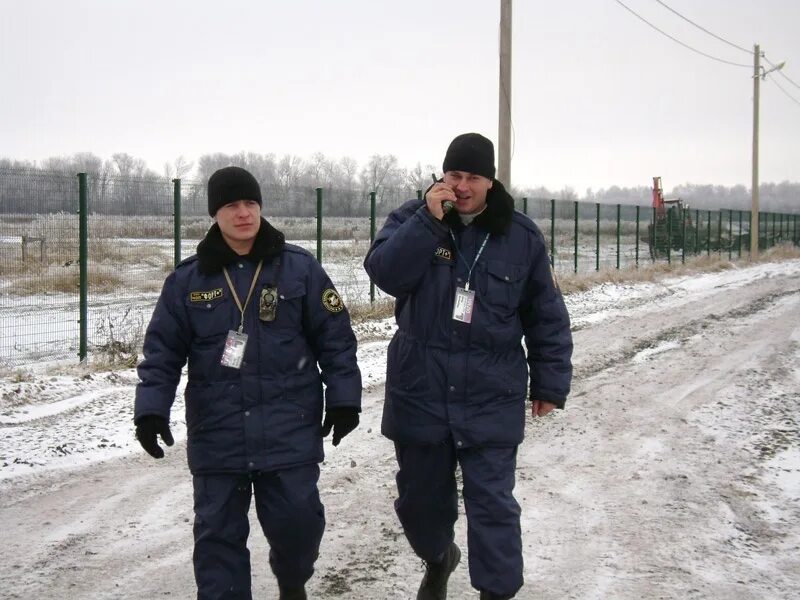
[469, 381]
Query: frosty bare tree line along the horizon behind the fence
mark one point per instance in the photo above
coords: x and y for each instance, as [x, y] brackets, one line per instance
[125, 185]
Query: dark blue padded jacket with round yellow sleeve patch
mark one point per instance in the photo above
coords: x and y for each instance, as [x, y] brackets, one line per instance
[267, 414]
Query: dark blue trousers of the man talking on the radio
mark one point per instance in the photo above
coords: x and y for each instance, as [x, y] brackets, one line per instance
[427, 506]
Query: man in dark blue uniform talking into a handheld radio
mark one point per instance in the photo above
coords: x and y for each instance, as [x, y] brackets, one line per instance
[471, 278]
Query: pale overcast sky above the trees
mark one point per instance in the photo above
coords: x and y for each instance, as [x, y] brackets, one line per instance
[598, 97]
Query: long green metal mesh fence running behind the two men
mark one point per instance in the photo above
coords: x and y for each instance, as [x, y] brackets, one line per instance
[82, 261]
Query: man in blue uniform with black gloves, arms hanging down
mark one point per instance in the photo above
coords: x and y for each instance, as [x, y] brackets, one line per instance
[263, 328]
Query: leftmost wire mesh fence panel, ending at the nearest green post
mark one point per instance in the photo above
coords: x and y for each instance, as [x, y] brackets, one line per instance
[38, 267]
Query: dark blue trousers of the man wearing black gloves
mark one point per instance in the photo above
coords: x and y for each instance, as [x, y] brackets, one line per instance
[291, 516]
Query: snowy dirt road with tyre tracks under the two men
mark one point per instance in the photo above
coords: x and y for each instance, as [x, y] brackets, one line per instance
[674, 472]
